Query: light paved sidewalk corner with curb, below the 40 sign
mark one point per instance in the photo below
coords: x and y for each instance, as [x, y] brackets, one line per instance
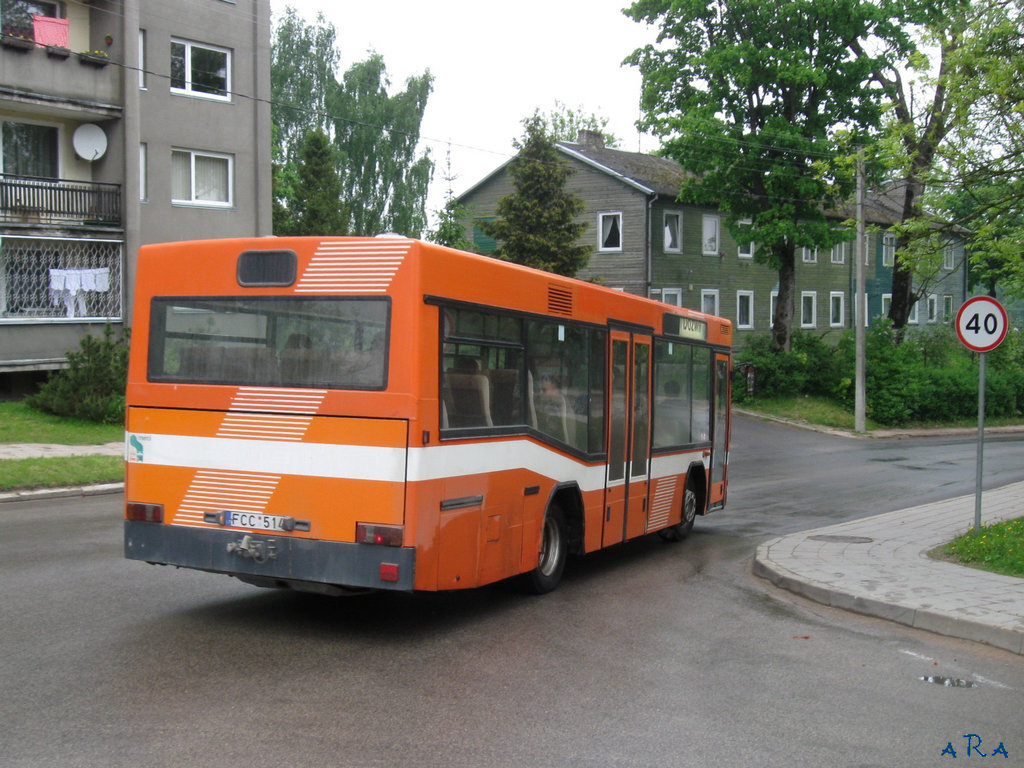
[879, 566]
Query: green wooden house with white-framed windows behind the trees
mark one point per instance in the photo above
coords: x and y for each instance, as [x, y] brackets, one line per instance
[647, 243]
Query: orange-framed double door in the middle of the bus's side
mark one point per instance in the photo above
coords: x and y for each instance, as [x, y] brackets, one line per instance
[629, 438]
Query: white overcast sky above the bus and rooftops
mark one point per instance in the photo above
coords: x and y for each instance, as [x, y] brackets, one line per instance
[494, 64]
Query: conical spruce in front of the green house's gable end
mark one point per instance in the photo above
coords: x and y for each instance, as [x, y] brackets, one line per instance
[536, 225]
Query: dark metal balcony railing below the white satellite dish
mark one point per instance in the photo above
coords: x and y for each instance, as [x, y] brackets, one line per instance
[59, 202]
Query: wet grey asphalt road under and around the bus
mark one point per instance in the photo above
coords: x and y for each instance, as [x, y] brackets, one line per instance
[650, 655]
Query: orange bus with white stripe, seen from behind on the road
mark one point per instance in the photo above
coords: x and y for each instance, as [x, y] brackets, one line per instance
[381, 413]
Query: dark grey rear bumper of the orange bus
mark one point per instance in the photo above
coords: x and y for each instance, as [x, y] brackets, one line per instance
[270, 560]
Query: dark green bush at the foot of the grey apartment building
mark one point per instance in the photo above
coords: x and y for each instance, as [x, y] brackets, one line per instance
[93, 388]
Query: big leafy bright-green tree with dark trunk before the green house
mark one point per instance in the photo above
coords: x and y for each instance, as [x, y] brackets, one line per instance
[751, 98]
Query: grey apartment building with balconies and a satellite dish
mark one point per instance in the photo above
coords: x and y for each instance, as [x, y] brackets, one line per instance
[122, 122]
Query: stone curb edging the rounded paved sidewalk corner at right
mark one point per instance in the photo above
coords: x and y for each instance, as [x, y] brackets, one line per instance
[932, 621]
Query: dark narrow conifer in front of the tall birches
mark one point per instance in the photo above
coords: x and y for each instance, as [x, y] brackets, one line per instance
[318, 206]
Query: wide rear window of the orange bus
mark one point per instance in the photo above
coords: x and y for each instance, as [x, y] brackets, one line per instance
[336, 344]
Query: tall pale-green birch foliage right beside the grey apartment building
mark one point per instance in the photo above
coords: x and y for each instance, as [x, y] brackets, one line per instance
[383, 178]
